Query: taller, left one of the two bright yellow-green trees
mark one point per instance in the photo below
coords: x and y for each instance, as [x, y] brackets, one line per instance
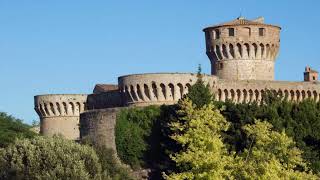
[203, 154]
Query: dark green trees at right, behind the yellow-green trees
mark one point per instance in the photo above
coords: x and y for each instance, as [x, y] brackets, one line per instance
[301, 121]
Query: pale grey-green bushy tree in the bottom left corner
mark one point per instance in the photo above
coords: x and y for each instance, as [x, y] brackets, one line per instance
[48, 158]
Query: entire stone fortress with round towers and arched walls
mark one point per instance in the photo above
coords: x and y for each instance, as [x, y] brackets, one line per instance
[242, 54]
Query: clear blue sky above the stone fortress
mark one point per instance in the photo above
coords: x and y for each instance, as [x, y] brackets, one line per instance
[67, 46]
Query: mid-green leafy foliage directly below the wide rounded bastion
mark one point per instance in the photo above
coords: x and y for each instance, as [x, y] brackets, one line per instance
[134, 129]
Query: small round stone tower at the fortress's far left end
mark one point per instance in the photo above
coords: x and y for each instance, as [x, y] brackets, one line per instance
[59, 114]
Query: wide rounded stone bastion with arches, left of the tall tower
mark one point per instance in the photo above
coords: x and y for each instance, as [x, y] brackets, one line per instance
[157, 88]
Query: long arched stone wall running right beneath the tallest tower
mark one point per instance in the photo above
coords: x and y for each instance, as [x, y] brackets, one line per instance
[249, 91]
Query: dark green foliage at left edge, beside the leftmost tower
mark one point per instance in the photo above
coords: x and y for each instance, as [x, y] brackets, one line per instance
[12, 128]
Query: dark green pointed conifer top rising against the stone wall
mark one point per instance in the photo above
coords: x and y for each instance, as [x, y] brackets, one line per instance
[199, 93]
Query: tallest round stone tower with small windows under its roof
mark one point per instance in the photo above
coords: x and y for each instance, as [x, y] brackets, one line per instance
[243, 49]
